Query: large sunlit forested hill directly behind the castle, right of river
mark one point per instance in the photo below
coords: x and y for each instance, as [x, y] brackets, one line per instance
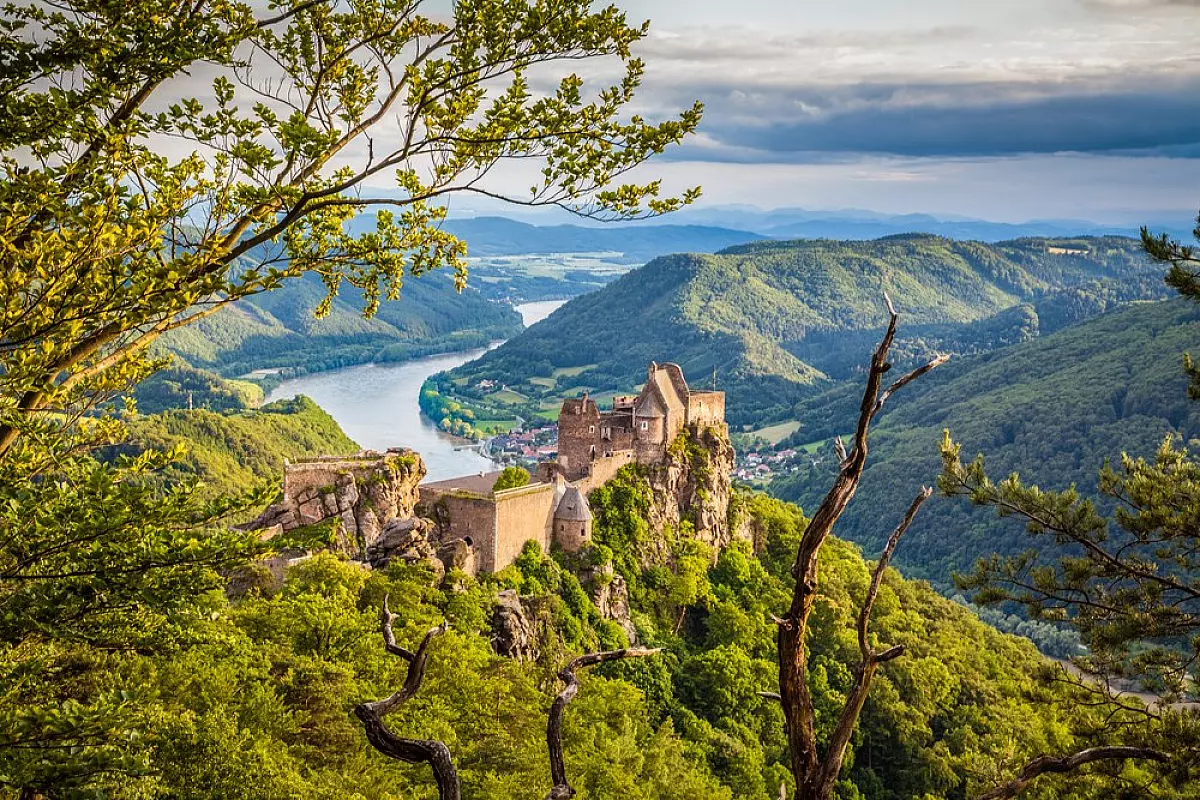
[771, 318]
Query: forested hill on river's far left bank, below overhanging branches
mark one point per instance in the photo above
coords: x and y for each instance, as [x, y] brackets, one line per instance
[279, 329]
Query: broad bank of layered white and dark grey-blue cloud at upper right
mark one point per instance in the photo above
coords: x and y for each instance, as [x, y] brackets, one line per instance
[1111, 85]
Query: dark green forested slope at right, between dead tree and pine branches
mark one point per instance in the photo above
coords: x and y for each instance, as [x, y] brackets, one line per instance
[1053, 411]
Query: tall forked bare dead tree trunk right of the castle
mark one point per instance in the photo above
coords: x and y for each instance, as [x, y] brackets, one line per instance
[817, 775]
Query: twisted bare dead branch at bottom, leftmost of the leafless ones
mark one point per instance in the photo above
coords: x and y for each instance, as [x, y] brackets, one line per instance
[411, 751]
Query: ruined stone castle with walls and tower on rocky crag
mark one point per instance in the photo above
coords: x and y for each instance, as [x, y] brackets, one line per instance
[387, 513]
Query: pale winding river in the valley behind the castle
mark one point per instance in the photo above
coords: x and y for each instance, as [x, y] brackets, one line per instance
[376, 404]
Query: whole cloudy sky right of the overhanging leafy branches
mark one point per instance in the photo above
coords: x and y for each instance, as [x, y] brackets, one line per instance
[1003, 110]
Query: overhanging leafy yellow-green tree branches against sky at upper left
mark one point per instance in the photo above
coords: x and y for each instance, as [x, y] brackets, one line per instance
[110, 244]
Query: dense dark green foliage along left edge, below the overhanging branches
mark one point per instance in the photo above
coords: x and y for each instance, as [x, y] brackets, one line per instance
[97, 560]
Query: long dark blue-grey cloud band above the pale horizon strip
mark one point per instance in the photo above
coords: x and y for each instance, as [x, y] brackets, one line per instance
[812, 124]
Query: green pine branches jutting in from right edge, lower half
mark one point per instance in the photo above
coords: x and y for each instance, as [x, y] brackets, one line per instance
[1129, 588]
